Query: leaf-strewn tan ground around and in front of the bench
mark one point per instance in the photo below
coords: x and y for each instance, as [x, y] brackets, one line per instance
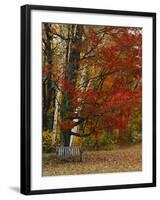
[125, 159]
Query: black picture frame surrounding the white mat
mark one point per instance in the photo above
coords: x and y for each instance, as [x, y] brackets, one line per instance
[26, 98]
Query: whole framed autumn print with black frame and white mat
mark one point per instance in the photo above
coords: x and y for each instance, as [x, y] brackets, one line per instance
[88, 99]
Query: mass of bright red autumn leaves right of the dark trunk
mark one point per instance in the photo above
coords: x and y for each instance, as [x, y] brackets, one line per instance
[114, 104]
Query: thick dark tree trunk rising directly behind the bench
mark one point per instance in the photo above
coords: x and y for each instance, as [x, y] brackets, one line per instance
[73, 55]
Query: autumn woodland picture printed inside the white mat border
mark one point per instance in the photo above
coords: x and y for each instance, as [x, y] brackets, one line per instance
[92, 98]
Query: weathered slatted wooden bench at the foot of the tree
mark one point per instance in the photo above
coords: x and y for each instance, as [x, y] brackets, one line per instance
[66, 153]
